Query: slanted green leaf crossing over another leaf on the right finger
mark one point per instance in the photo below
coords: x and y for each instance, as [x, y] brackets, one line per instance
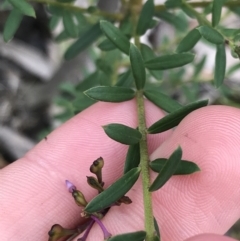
[168, 170]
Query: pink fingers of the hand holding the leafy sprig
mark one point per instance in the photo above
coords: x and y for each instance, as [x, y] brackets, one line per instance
[33, 195]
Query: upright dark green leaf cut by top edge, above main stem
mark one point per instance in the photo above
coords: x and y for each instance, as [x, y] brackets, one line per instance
[145, 17]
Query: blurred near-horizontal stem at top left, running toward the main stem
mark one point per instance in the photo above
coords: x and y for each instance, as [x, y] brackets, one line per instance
[70, 7]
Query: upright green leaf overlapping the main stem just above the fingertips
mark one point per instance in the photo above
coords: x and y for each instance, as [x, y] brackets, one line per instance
[138, 68]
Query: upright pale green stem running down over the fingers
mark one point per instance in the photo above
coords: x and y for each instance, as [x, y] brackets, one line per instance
[144, 161]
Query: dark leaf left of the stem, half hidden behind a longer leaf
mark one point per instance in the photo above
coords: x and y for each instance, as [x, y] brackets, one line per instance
[132, 158]
